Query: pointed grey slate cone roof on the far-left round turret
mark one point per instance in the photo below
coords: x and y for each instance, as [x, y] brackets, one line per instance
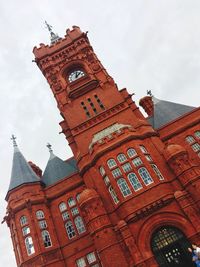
[22, 173]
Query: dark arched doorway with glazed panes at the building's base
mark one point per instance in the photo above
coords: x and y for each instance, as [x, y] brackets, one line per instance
[170, 247]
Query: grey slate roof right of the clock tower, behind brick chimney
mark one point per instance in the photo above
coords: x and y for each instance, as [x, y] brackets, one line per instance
[165, 112]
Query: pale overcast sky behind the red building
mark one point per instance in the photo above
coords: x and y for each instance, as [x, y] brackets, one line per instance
[143, 44]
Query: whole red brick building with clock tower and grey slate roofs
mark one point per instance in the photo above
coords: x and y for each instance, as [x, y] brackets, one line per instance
[130, 195]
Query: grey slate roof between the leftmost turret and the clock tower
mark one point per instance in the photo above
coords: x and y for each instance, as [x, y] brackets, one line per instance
[57, 169]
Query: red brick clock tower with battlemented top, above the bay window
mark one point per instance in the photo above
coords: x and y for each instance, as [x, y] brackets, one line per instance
[87, 96]
